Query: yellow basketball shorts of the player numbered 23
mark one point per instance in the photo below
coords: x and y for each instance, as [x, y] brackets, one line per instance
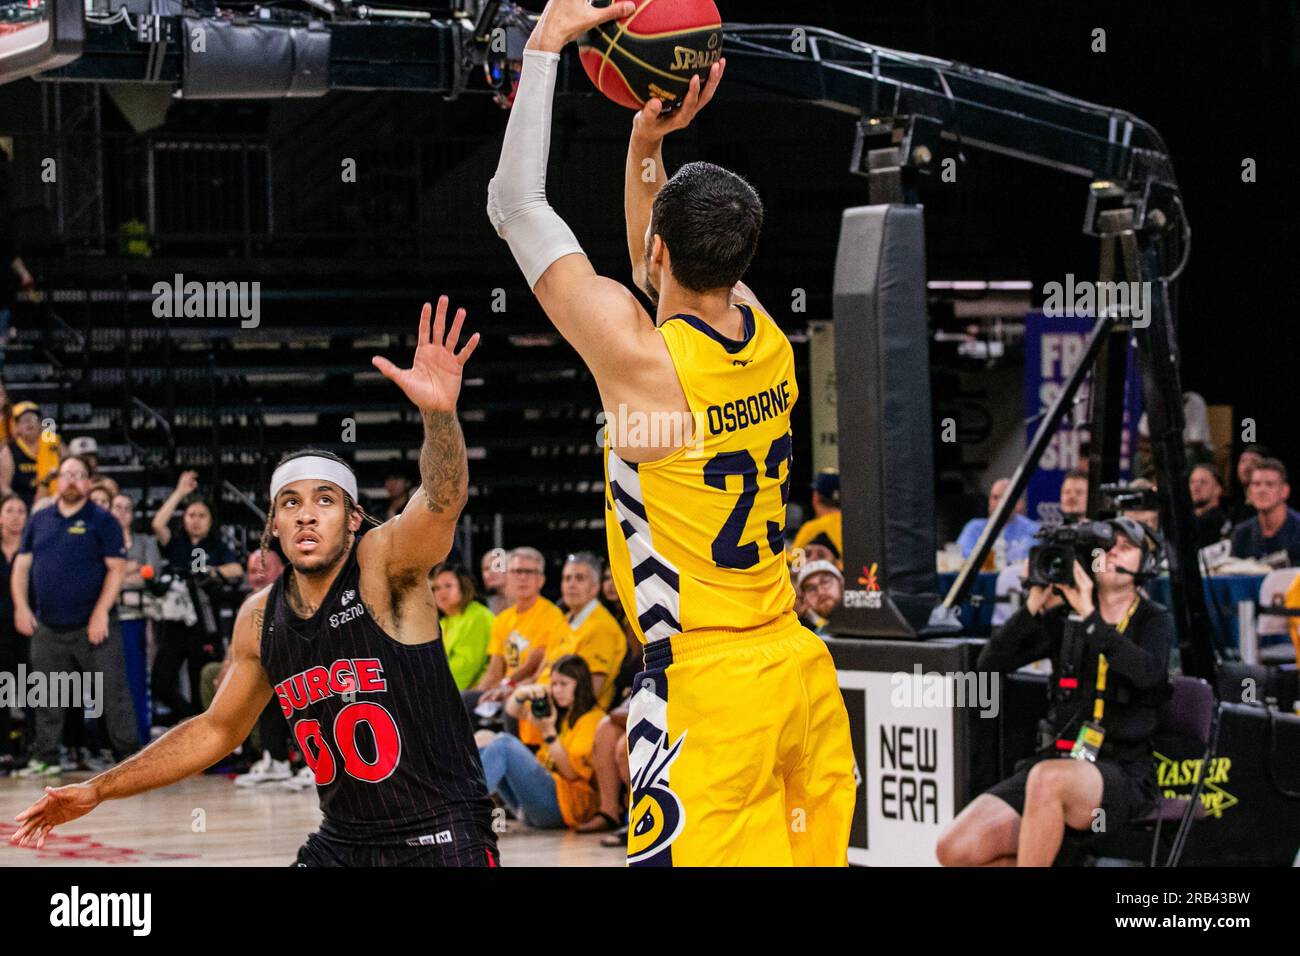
[739, 752]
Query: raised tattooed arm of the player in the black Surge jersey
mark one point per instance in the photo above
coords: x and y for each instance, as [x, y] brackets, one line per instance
[421, 537]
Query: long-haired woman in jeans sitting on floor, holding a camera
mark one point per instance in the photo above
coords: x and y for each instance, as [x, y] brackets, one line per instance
[554, 789]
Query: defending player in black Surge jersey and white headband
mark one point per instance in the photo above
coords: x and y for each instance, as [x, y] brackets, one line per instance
[348, 642]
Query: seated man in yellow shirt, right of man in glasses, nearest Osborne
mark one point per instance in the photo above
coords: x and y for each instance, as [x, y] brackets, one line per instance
[592, 634]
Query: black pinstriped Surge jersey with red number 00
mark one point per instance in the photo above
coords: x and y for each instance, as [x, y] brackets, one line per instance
[380, 723]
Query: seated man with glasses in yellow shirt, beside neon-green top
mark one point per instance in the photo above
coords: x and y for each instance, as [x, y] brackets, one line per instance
[522, 633]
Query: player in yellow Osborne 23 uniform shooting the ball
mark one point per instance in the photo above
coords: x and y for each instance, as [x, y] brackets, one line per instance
[738, 736]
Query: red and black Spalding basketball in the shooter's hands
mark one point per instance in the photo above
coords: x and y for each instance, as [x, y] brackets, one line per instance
[655, 51]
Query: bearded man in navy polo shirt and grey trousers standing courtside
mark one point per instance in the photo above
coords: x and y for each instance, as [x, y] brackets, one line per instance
[72, 561]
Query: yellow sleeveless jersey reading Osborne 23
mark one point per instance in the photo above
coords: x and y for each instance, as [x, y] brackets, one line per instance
[696, 539]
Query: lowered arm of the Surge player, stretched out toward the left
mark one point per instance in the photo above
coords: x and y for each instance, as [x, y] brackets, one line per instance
[187, 750]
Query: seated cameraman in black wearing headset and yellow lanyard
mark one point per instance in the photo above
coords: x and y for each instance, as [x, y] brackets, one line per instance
[1110, 650]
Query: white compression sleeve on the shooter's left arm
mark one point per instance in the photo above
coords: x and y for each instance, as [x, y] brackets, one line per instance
[517, 196]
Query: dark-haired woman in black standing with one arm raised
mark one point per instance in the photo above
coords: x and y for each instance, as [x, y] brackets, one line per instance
[198, 556]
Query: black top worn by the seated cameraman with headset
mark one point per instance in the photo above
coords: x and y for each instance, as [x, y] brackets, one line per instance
[1137, 677]
